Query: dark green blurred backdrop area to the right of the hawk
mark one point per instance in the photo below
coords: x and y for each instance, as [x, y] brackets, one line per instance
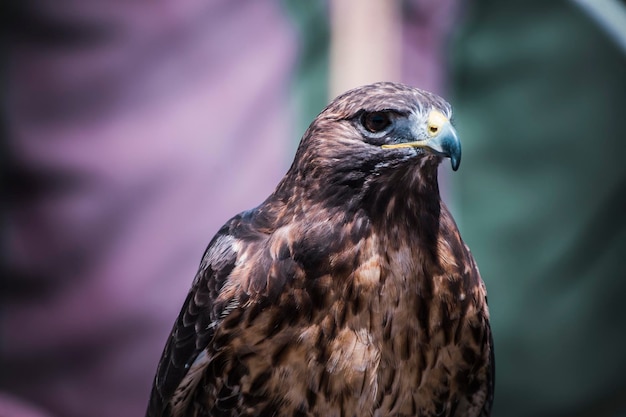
[539, 90]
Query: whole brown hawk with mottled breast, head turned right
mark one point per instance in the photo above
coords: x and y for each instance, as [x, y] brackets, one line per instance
[348, 291]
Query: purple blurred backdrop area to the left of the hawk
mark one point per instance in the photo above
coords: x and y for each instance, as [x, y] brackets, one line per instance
[134, 131]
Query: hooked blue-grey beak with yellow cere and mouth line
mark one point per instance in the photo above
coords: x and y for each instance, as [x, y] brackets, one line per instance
[443, 140]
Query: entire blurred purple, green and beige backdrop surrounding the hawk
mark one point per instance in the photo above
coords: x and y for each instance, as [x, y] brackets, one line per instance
[133, 130]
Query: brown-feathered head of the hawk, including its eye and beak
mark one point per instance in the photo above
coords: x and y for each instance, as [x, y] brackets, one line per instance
[377, 126]
